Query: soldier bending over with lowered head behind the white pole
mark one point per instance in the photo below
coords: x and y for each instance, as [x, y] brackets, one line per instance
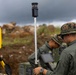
[53, 43]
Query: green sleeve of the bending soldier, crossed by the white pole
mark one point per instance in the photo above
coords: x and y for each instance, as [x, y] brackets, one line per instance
[43, 49]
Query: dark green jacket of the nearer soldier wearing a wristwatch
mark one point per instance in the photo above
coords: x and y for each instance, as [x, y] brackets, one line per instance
[67, 62]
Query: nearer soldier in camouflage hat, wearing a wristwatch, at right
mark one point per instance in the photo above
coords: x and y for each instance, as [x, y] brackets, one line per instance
[67, 61]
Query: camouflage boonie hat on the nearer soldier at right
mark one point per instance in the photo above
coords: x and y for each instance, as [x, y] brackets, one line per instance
[68, 28]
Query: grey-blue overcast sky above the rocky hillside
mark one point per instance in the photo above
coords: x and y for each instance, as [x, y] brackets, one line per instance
[50, 11]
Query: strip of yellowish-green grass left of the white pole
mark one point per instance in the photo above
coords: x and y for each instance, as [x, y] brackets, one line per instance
[11, 41]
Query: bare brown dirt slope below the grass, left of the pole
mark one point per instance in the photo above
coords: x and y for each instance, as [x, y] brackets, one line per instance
[15, 55]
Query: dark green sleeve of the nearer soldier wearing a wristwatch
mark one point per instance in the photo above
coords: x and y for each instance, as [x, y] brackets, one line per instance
[63, 65]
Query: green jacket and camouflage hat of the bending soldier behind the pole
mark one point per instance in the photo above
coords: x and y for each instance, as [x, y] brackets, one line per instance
[43, 49]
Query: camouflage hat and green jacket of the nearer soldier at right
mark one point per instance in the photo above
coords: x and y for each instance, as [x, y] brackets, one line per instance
[67, 61]
